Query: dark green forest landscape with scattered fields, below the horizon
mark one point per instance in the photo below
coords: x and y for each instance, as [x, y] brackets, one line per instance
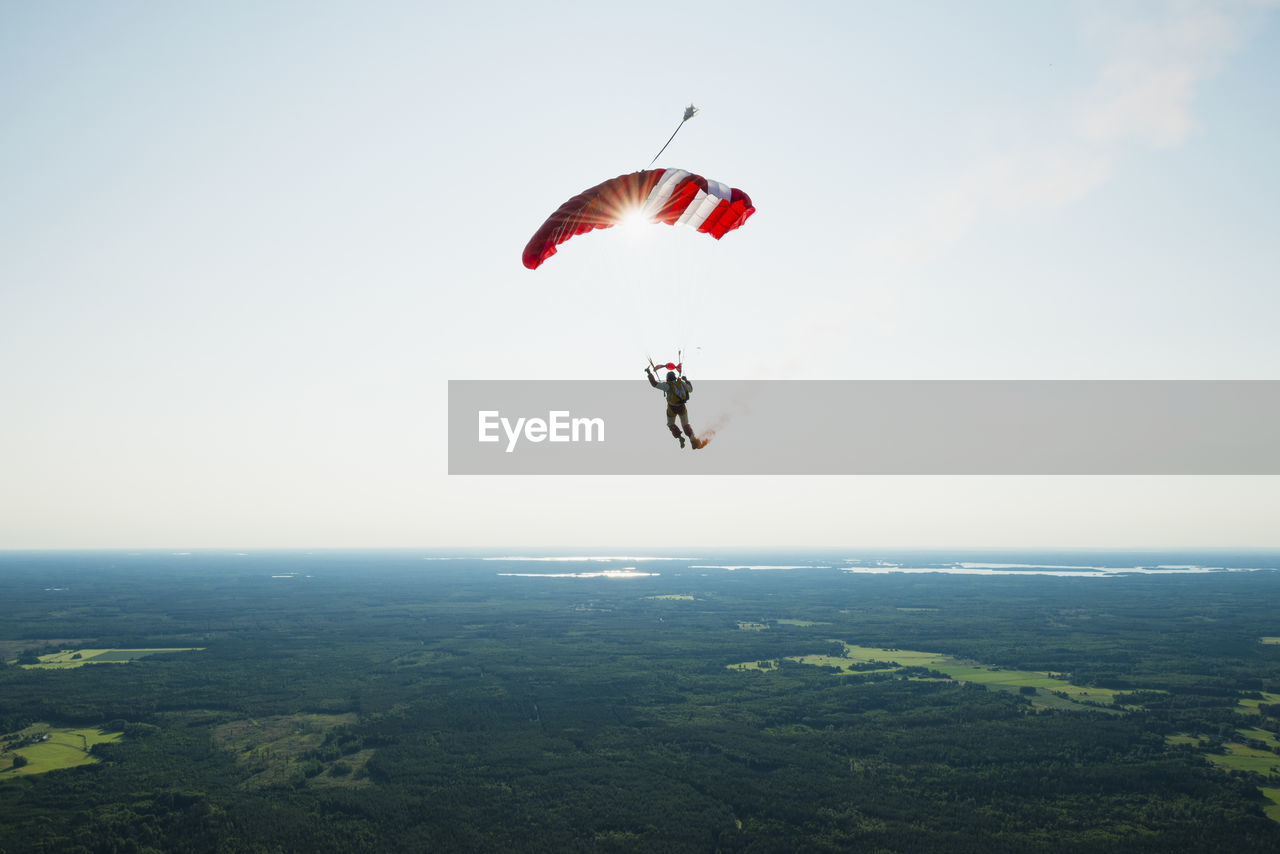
[382, 702]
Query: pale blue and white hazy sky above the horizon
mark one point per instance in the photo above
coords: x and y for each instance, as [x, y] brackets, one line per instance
[245, 246]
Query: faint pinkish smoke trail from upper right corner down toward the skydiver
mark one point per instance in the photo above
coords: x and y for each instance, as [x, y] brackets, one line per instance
[1150, 62]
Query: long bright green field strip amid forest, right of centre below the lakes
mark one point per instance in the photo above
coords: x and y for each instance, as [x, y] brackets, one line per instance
[1052, 691]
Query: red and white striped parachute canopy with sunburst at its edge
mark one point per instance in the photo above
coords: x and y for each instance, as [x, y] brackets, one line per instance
[671, 197]
